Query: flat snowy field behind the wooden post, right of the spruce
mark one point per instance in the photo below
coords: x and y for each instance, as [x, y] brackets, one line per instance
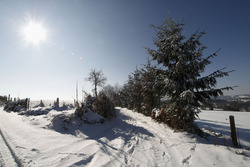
[217, 124]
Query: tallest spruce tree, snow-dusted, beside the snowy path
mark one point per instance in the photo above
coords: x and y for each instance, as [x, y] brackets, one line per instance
[182, 64]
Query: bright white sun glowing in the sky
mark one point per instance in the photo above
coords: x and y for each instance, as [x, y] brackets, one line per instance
[34, 32]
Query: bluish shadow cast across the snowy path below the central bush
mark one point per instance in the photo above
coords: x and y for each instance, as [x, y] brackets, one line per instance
[121, 127]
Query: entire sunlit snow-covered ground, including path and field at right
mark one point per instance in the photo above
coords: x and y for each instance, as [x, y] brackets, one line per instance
[130, 139]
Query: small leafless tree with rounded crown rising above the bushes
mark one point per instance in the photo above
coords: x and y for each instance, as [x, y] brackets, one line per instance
[97, 78]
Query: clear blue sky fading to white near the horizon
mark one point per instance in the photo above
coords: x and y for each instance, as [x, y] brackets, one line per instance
[111, 35]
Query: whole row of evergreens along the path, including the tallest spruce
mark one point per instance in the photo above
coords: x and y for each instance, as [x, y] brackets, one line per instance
[177, 74]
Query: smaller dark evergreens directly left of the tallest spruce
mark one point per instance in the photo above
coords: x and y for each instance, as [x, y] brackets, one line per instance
[142, 92]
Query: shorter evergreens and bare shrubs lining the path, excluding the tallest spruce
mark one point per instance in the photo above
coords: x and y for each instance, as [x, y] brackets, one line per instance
[142, 92]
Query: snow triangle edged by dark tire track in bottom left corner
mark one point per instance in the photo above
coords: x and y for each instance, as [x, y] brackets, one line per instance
[8, 156]
